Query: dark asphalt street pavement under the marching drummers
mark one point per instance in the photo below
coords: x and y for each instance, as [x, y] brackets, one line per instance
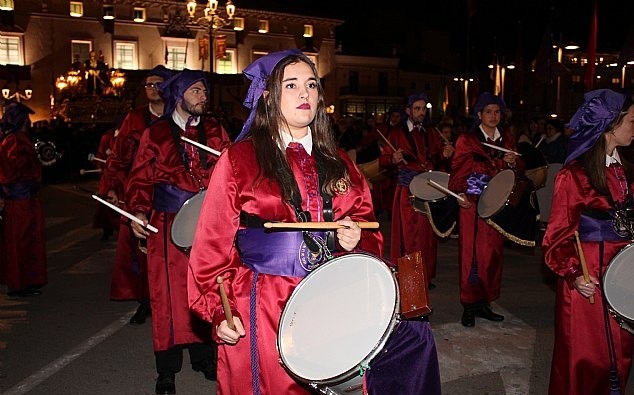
[73, 340]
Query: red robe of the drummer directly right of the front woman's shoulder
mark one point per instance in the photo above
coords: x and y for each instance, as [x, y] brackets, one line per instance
[411, 230]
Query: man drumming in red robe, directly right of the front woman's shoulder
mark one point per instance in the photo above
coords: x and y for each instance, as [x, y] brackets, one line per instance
[417, 148]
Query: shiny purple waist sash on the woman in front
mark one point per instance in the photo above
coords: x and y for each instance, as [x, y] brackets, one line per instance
[277, 253]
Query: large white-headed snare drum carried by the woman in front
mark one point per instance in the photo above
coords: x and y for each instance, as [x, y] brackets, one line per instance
[336, 321]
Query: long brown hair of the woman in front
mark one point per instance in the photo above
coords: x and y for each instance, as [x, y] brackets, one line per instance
[269, 124]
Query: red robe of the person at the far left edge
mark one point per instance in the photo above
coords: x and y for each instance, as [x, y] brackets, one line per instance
[22, 237]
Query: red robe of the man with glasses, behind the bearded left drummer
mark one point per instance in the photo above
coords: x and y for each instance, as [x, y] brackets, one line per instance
[129, 272]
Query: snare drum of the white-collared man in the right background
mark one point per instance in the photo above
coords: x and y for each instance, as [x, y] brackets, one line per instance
[509, 205]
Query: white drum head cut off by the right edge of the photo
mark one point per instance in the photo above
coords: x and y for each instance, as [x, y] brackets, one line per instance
[618, 283]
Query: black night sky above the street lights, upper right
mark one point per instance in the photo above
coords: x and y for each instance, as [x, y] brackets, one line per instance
[503, 27]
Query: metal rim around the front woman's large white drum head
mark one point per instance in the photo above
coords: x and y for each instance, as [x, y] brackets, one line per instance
[349, 373]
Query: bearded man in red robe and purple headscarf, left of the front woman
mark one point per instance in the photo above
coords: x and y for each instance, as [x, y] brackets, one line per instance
[165, 173]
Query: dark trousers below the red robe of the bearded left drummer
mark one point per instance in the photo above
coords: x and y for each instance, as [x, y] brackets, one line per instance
[171, 361]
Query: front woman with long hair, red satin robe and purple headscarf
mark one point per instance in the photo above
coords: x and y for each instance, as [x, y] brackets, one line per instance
[287, 168]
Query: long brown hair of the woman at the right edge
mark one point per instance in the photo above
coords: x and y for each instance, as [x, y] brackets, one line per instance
[593, 160]
